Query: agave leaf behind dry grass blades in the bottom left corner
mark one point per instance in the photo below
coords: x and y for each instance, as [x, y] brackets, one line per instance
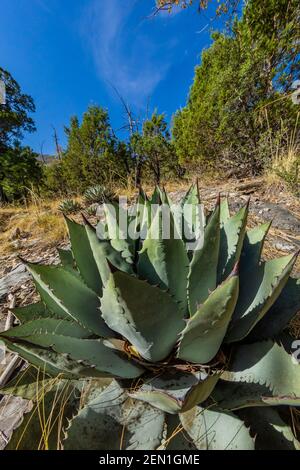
[41, 429]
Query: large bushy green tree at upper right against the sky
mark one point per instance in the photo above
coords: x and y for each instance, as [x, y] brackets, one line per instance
[239, 98]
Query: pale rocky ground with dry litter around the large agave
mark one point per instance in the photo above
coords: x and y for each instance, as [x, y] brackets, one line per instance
[16, 287]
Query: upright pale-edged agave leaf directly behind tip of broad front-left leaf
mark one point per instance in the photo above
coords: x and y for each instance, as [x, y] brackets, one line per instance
[102, 251]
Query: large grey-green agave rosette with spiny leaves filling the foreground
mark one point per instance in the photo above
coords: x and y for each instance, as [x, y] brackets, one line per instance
[167, 347]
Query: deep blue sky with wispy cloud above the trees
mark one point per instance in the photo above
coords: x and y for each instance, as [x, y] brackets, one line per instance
[67, 54]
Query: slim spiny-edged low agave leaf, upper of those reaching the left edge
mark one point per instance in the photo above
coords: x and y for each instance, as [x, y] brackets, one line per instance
[50, 362]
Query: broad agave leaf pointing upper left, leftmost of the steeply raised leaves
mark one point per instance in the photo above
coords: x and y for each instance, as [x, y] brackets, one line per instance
[71, 296]
